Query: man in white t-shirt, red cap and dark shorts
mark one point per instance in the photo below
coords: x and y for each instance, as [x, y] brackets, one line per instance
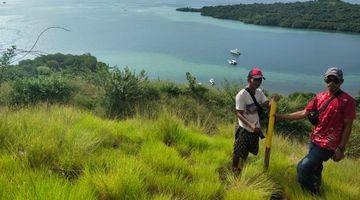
[248, 131]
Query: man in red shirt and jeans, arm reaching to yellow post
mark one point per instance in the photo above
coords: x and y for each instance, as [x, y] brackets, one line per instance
[336, 112]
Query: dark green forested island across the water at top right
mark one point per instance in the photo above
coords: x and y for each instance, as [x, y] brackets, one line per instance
[331, 15]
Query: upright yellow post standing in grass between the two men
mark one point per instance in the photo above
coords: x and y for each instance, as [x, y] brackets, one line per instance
[269, 133]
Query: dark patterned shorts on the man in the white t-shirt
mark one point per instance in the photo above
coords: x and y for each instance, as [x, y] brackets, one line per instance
[245, 142]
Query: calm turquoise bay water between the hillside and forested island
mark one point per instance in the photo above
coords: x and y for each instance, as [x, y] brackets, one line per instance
[166, 44]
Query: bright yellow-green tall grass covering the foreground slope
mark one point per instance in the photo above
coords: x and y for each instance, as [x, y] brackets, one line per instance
[57, 152]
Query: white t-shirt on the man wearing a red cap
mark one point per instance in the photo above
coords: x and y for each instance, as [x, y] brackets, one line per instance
[244, 102]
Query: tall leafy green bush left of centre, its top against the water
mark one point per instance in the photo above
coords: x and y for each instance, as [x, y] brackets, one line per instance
[126, 91]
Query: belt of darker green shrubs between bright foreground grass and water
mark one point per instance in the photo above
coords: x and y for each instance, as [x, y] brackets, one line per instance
[121, 93]
